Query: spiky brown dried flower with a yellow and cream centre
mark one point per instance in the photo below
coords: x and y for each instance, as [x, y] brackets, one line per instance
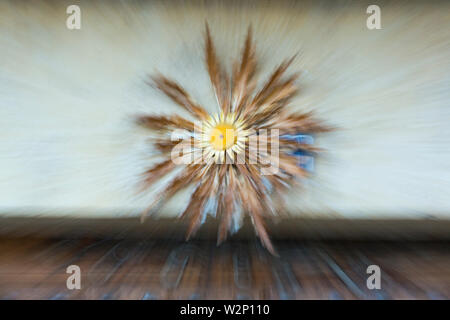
[226, 173]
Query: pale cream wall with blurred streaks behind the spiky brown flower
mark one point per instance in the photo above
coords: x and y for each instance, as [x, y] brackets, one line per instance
[68, 145]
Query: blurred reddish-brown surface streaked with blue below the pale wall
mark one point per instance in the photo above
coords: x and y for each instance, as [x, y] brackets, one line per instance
[33, 268]
